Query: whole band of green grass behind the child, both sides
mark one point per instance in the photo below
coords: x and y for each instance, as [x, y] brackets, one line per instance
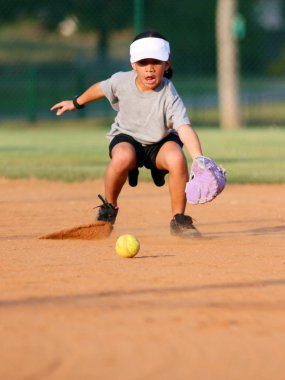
[67, 151]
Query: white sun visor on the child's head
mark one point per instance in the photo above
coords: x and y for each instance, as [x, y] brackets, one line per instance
[149, 47]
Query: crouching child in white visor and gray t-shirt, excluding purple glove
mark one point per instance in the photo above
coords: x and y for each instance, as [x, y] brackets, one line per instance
[150, 128]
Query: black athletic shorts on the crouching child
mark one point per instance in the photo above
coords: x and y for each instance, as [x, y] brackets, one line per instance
[146, 154]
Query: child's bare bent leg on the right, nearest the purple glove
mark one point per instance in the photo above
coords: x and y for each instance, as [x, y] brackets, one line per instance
[171, 157]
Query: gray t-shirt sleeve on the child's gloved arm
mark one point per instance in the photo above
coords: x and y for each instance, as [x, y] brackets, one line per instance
[177, 113]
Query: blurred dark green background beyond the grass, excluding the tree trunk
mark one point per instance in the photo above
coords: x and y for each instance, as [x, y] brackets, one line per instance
[52, 50]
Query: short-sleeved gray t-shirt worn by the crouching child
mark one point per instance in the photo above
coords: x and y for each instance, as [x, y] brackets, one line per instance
[146, 116]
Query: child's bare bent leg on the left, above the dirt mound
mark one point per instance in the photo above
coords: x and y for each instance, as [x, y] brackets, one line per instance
[123, 160]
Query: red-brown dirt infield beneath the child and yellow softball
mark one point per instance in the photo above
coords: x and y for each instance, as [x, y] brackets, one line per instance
[203, 309]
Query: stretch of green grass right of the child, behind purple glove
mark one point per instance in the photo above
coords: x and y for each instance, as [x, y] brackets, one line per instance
[250, 155]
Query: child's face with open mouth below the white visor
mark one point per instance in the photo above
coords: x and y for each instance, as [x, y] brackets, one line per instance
[149, 73]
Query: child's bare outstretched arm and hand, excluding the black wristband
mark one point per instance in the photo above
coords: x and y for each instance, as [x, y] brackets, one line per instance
[91, 94]
